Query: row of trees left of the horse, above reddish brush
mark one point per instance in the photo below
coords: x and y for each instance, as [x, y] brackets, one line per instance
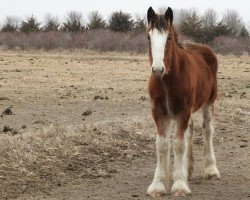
[119, 22]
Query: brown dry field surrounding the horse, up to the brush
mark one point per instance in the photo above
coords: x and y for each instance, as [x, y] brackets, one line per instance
[81, 128]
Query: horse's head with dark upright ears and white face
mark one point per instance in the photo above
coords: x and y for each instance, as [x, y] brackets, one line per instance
[159, 35]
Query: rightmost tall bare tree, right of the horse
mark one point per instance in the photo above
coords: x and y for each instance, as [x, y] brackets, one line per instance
[233, 21]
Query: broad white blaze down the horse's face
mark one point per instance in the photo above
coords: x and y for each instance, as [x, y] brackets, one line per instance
[158, 42]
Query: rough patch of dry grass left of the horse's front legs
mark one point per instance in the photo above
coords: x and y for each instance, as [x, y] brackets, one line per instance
[39, 161]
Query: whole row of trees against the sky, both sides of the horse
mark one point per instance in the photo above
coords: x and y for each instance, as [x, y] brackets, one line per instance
[201, 28]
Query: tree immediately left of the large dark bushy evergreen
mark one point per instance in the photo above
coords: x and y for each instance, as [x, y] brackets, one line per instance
[96, 21]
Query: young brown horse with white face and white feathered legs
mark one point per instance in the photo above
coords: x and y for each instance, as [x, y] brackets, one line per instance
[183, 80]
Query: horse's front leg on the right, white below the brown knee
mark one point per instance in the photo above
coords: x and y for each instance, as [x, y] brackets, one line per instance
[181, 162]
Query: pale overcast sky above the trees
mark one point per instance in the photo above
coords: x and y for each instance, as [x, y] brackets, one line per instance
[39, 8]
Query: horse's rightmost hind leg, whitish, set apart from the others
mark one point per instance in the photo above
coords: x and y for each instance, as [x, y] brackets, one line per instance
[211, 170]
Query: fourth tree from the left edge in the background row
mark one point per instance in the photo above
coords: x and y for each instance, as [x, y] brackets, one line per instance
[74, 22]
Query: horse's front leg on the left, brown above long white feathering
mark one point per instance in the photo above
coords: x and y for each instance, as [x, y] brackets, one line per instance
[159, 186]
